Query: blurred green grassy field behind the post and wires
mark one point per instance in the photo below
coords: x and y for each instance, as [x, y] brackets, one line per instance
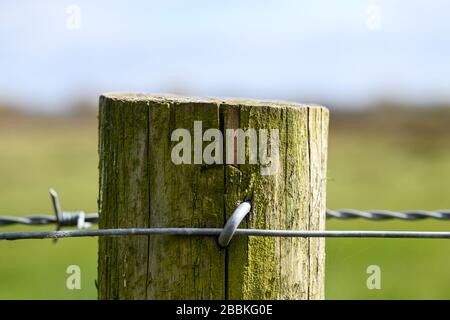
[389, 169]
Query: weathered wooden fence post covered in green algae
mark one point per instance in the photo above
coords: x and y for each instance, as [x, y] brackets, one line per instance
[277, 162]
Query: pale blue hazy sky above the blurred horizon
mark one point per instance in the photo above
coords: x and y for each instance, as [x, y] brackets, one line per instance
[316, 51]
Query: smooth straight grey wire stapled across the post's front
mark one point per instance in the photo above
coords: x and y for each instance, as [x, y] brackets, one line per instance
[217, 231]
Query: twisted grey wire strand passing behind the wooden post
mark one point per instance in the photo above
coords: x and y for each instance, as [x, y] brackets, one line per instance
[71, 218]
